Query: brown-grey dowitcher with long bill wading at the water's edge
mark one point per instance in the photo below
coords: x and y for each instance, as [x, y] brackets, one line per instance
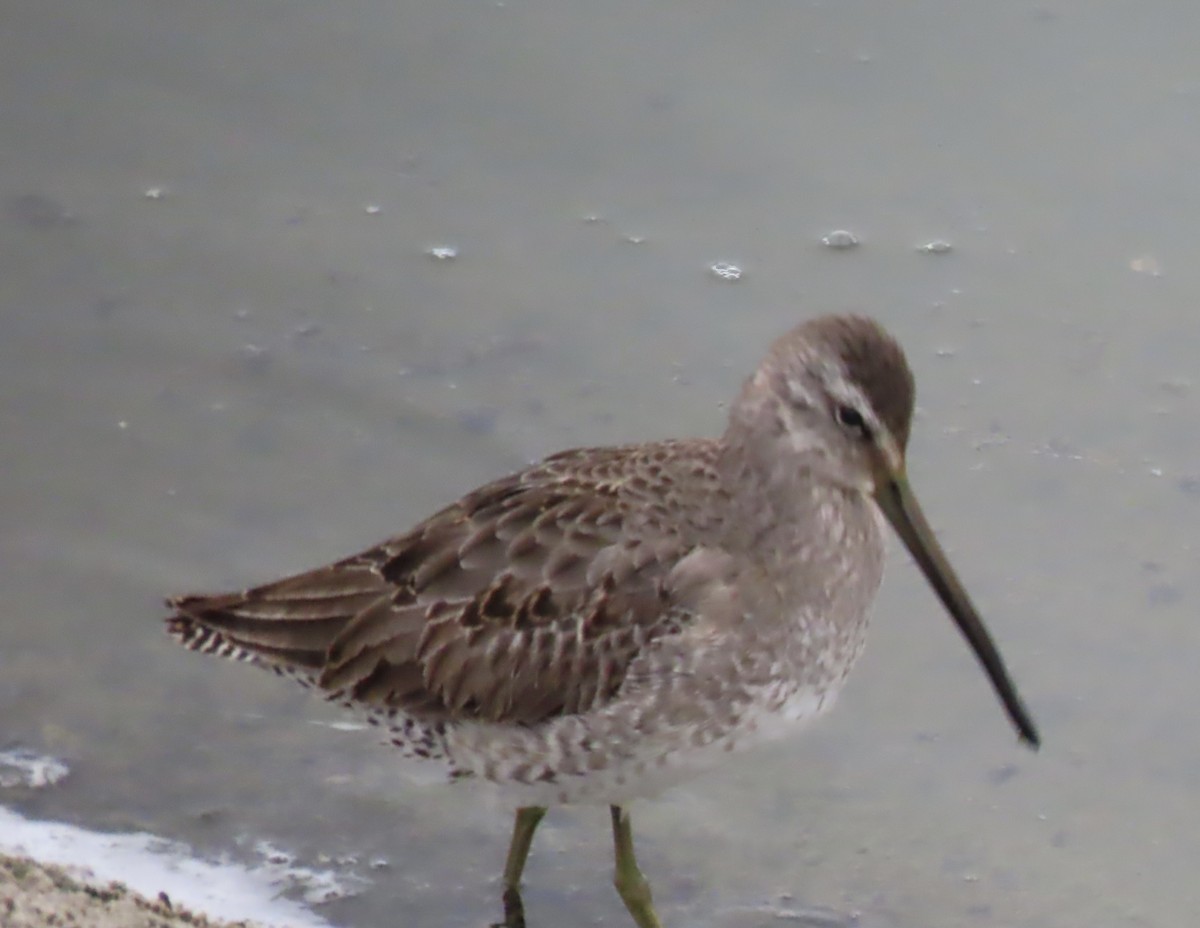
[614, 620]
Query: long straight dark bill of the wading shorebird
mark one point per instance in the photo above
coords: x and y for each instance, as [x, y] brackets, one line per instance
[899, 505]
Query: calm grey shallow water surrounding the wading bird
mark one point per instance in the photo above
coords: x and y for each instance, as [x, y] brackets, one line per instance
[227, 355]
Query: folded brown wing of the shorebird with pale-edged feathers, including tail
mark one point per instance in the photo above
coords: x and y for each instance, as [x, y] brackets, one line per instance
[526, 600]
